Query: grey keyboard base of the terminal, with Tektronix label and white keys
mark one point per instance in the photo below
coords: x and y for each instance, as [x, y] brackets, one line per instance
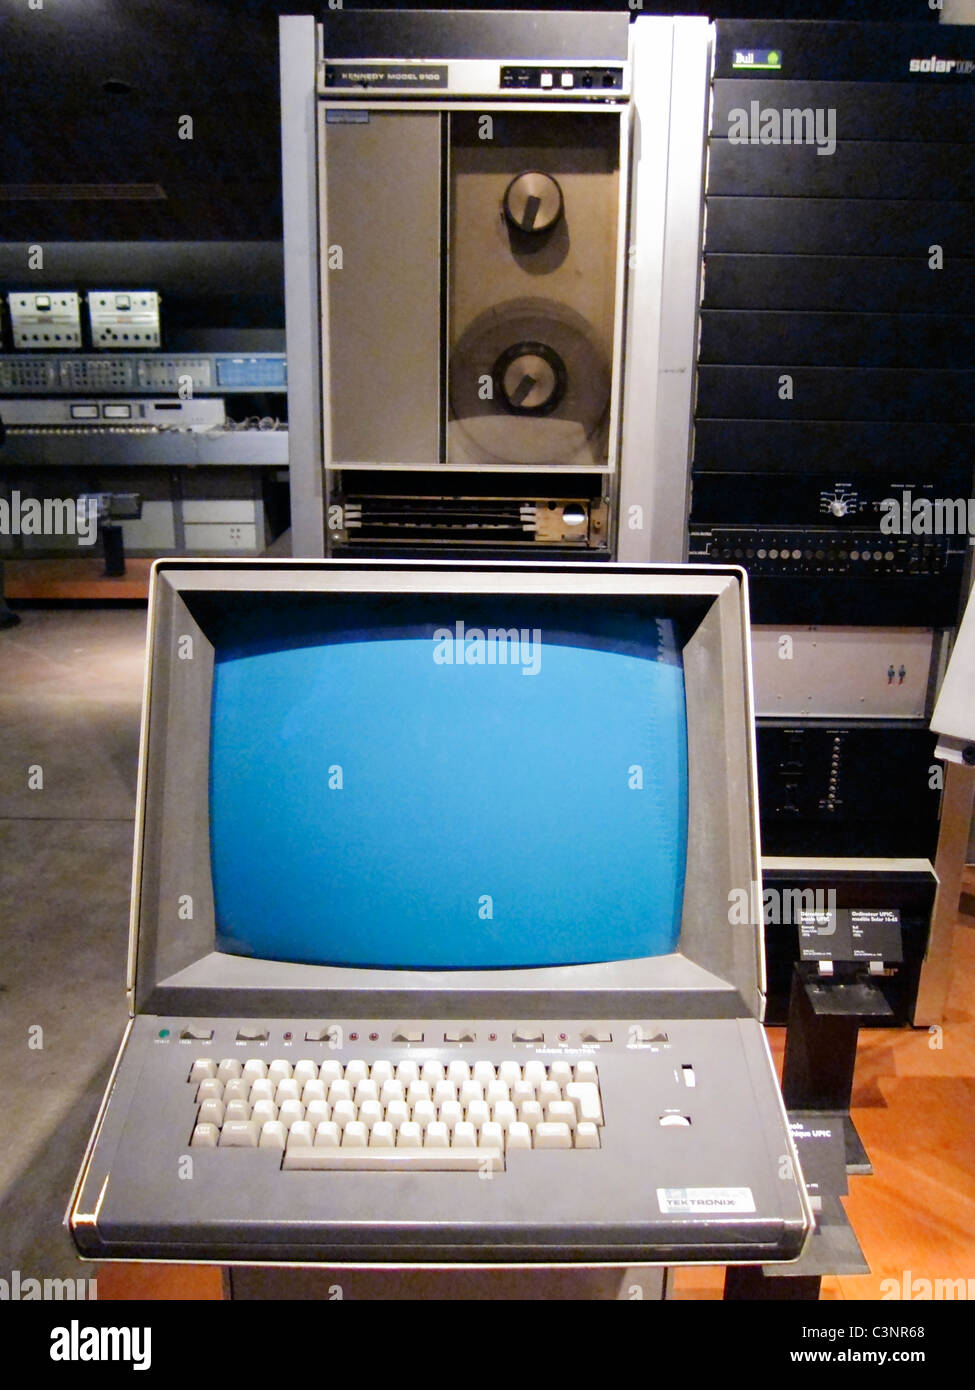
[372, 1140]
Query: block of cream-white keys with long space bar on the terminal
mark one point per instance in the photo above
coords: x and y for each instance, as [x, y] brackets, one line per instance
[422, 1115]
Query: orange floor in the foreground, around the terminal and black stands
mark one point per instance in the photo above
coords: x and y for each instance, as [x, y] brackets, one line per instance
[914, 1107]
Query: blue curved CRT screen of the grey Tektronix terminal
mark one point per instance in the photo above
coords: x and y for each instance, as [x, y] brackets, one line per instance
[446, 783]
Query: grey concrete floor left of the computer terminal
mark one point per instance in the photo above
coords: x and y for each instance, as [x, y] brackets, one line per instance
[70, 701]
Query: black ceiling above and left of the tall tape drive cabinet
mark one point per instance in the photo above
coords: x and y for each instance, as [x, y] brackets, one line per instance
[92, 92]
